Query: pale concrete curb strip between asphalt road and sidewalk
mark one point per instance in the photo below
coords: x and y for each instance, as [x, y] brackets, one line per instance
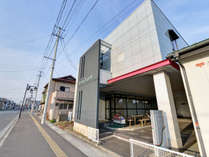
[6, 131]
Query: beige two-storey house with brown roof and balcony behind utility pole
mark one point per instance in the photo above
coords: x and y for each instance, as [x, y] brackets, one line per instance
[60, 98]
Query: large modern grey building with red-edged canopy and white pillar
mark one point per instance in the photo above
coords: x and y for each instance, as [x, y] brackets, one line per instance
[127, 74]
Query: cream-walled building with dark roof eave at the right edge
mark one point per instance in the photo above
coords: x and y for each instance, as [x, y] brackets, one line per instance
[194, 65]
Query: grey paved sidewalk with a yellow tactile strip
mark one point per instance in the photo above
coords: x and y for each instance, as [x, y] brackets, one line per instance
[30, 139]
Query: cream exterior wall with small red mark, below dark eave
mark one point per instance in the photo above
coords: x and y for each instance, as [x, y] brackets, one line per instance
[198, 80]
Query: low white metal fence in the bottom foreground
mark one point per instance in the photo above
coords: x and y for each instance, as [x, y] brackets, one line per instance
[141, 149]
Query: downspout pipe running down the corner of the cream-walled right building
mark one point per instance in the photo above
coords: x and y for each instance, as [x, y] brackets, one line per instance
[192, 109]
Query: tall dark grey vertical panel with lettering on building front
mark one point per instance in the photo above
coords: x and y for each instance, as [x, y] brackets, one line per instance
[88, 84]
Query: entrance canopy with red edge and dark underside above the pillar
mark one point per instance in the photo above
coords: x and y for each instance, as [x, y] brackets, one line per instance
[140, 82]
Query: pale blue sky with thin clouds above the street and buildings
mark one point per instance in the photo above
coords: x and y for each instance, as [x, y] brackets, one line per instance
[25, 27]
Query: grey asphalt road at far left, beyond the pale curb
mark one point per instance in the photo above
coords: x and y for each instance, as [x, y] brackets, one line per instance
[6, 117]
